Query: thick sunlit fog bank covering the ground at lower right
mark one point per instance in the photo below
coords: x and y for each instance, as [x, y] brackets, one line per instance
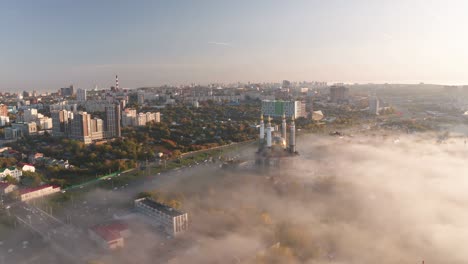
[376, 199]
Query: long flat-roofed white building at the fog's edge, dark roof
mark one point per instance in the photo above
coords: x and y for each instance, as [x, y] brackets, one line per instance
[171, 220]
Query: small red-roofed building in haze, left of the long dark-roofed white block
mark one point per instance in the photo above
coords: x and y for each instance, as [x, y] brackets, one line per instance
[109, 236]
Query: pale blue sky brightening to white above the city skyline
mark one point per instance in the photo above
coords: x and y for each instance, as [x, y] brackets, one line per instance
[50, 44]
